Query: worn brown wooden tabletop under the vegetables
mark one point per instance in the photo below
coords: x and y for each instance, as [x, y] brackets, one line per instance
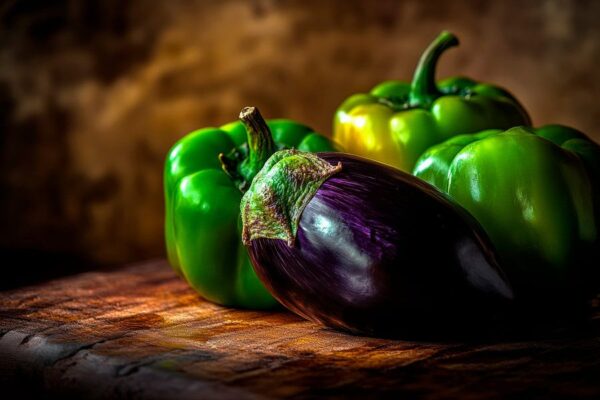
[140, 332]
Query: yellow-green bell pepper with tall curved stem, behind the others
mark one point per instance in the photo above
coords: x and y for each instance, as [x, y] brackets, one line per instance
[397, 121]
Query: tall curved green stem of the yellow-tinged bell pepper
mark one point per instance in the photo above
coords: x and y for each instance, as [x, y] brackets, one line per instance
[423, 88]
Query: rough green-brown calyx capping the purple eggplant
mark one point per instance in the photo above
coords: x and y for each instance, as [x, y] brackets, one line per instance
[272, 206]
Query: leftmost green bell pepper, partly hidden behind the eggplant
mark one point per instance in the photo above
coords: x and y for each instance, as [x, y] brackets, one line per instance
[205, 175]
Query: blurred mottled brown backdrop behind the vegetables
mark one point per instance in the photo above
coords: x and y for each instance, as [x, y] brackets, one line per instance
[93, 93]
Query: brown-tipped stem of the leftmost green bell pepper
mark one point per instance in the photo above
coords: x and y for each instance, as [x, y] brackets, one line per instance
[260, 143]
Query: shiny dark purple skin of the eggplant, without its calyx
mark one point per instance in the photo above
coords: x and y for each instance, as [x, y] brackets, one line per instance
[380, 252]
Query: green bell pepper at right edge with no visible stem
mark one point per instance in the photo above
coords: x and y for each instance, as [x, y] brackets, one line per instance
[536, 194]
